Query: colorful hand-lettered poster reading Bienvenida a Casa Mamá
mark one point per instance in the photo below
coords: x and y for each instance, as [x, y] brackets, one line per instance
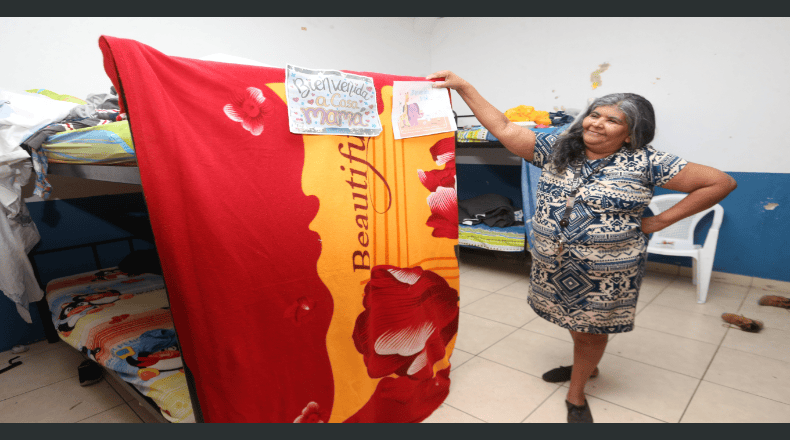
[331, 102]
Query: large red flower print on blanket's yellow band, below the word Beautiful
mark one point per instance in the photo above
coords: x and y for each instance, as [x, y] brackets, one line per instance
[410, 316]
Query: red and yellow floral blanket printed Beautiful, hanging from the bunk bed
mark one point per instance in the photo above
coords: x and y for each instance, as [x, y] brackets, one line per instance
[311, 278]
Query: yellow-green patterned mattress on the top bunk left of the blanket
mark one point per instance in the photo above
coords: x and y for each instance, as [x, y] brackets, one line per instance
[102, 144]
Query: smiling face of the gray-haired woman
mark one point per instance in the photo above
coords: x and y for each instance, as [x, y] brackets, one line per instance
[605, 131]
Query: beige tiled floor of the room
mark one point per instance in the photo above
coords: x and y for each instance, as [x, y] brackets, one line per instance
[681, 364]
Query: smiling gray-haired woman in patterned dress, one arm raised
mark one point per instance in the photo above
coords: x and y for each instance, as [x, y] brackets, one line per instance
[590, 244]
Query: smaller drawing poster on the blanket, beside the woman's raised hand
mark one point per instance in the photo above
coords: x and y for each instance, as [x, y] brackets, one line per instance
[419, 110]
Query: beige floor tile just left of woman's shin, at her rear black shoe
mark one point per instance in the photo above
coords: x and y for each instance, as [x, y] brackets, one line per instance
[530, 352]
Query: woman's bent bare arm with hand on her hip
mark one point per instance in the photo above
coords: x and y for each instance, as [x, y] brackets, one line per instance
[706, 186]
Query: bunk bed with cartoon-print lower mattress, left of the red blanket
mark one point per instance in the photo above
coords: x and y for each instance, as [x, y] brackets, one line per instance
[116, 319]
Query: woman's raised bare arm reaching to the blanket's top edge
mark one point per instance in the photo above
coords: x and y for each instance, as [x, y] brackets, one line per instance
[519, 140]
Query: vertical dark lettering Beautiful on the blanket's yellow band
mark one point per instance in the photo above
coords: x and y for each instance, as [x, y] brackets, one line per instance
[359, 194]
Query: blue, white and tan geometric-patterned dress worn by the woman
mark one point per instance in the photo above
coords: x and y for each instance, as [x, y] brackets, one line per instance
[593, 288]
